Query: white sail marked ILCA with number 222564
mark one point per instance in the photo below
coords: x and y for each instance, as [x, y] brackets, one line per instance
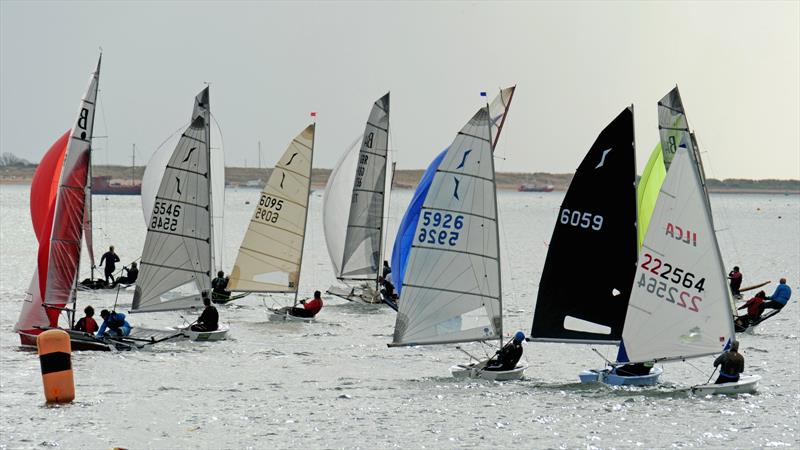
[680, 305]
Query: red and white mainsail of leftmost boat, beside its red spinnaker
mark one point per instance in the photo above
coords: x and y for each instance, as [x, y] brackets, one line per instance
[68, 220]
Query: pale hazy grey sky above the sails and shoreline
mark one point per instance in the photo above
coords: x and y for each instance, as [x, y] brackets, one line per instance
[576, 66]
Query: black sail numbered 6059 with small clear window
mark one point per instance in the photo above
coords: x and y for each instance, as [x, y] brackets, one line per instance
[591, 260]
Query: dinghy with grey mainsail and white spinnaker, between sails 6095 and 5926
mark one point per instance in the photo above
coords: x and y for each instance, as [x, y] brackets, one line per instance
[355, 209]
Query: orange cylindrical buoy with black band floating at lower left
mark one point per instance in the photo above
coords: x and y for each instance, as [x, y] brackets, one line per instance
[55, 356]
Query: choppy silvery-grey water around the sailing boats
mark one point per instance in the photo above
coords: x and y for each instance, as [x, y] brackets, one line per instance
[334, 383]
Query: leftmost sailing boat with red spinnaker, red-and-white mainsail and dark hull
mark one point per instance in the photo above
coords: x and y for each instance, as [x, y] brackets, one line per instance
[60, 202]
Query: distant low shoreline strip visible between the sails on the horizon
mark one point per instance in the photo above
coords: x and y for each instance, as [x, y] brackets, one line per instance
[408, 179]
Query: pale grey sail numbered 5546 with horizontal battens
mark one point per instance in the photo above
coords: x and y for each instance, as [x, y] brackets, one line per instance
[177, 257]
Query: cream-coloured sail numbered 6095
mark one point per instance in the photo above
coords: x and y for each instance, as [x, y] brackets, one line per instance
[270, 255]
